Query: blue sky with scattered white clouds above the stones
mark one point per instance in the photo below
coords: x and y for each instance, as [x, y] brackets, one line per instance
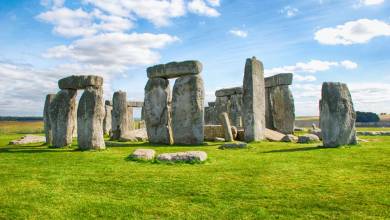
[318, 40]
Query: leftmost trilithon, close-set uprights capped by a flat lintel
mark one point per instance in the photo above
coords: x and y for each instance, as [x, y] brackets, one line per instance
[89, 113]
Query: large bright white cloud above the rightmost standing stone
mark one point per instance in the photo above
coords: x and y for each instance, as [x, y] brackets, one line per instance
[353, 32]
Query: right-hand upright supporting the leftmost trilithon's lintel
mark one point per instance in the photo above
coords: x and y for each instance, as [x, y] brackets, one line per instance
[90, 116]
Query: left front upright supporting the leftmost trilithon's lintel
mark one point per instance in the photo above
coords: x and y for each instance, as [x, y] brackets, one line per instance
[62, 112]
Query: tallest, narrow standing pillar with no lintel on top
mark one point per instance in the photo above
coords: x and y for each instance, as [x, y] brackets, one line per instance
[254, 101]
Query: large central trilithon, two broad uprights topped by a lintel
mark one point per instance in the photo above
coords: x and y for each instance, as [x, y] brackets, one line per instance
[176, 118]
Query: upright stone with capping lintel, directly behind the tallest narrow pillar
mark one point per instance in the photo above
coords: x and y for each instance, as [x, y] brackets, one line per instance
[279, 105]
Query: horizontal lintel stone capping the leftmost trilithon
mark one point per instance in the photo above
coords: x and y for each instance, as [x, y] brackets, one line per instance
[80, 82]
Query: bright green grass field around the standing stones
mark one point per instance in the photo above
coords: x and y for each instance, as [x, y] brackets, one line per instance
[266, 181]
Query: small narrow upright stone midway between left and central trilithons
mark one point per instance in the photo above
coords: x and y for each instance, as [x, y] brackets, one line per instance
[120, 115]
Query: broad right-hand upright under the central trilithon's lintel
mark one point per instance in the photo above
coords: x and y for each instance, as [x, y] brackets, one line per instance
[188, 110]
